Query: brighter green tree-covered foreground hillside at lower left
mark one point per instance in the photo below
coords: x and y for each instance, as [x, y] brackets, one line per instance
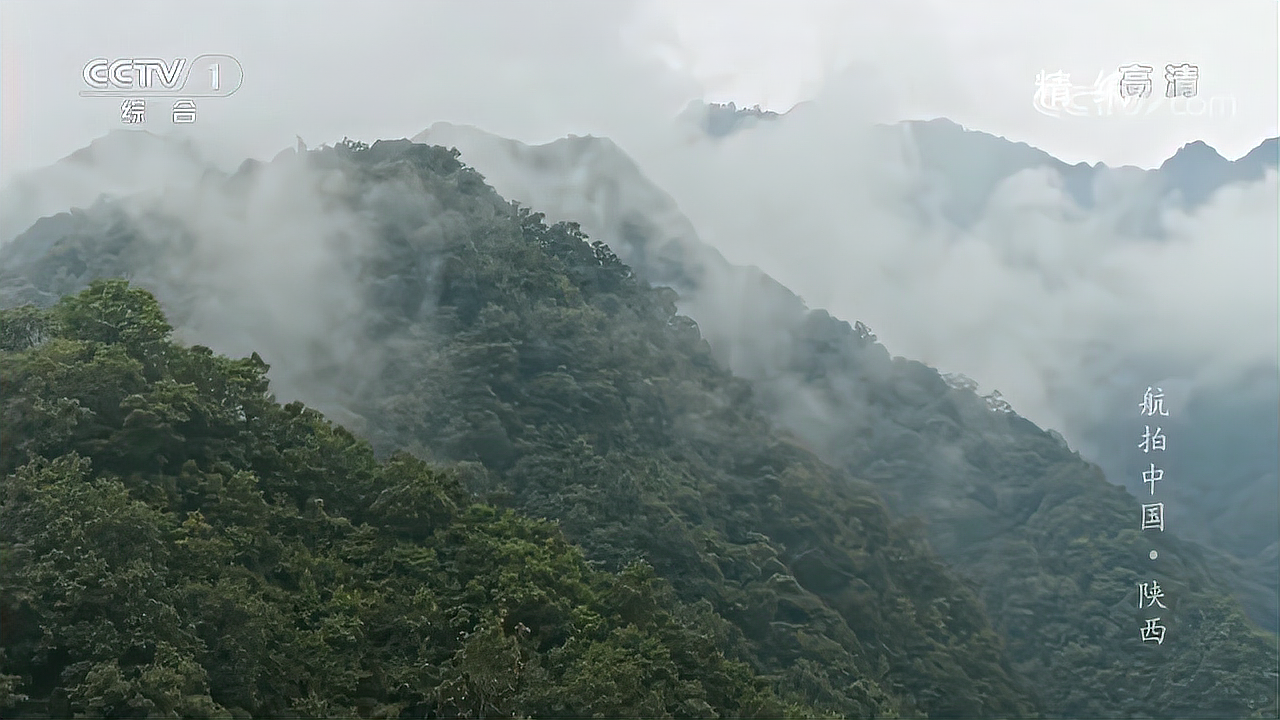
[185, 548]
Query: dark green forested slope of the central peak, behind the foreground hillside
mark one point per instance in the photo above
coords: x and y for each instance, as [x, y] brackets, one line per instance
[591, 402]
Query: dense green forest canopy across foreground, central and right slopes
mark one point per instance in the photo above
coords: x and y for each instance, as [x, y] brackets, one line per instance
[561, 505]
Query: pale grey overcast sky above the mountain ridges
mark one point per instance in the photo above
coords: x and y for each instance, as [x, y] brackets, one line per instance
[540, 70]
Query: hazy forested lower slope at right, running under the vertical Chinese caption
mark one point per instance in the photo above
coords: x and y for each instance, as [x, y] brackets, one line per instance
[1054, 550]
